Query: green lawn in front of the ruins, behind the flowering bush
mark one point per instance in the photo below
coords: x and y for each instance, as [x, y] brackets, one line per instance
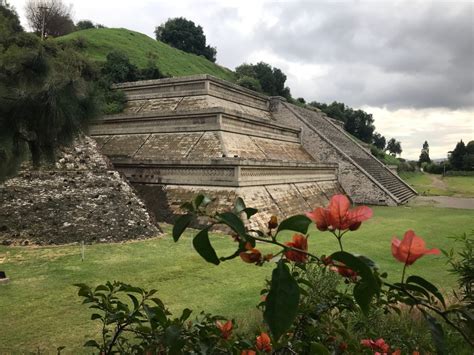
[40, 308]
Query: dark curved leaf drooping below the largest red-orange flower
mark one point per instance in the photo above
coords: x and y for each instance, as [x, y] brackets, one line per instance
[367, 287]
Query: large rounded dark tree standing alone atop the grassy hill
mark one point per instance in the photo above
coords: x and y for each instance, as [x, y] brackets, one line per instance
[185, 35]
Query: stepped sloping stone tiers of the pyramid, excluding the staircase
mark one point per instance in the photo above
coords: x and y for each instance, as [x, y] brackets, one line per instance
[179, 137]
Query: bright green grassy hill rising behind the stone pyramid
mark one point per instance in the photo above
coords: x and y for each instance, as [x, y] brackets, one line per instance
[97, 43]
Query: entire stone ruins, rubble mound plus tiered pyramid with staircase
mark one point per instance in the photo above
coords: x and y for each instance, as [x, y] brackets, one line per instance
[183, 136]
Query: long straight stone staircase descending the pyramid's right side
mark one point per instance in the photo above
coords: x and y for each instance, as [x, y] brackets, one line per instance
[364, 159]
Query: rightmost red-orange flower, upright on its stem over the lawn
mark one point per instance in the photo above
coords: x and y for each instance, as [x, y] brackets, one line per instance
[410, 249]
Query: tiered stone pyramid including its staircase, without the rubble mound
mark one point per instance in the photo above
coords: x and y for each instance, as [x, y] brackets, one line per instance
[186, 135]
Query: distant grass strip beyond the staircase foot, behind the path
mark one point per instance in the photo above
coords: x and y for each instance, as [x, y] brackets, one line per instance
[437, 185]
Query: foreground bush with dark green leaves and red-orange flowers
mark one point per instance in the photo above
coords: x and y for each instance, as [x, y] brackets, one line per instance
[305, 307]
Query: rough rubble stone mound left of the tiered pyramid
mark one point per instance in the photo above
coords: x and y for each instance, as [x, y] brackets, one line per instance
[79, 198]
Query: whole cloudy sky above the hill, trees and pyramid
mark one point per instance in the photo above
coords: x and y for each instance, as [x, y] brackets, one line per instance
[410, 64]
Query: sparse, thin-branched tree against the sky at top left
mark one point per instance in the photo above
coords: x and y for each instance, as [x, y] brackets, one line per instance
[49, 17]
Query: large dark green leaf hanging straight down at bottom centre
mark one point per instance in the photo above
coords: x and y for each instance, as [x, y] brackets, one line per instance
[281, 306]
